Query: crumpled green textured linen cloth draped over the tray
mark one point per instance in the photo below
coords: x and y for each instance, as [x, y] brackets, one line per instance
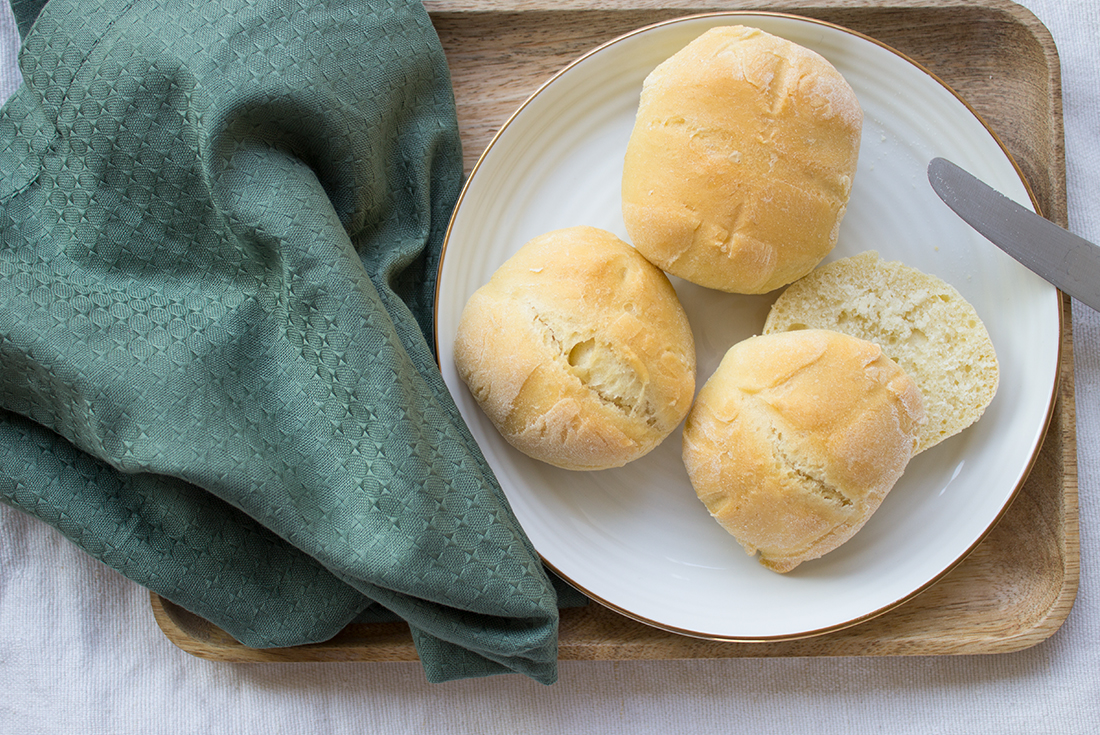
[221, 223]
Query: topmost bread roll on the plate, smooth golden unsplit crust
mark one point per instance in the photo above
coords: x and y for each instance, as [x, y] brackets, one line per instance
[740, 167]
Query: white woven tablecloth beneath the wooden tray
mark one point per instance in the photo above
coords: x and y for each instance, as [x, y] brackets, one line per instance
[80, 651]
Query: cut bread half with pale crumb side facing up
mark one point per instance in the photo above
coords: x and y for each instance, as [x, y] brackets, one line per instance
[922, 323]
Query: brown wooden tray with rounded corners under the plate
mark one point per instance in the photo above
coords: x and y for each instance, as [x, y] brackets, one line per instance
[1018, 586]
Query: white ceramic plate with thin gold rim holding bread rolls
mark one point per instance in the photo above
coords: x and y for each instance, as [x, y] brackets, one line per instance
[637, 539]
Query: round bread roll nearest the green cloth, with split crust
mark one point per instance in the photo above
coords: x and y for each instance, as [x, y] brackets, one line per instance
[579, 352]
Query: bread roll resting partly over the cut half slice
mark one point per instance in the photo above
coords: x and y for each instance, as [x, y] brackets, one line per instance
[797, 438]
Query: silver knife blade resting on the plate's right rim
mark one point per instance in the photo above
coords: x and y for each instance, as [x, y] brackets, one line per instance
[1070, 262]
